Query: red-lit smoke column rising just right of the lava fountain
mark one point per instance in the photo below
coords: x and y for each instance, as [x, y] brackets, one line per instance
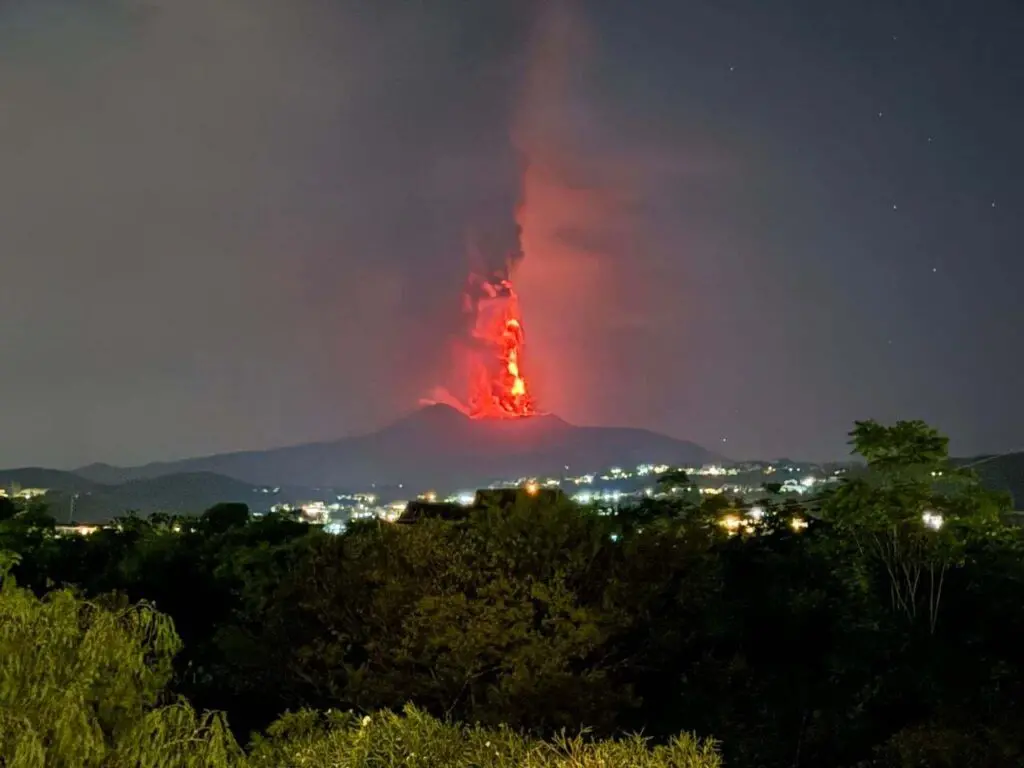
[585, 189]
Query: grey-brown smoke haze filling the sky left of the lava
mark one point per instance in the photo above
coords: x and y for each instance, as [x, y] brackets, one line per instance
[215, 215]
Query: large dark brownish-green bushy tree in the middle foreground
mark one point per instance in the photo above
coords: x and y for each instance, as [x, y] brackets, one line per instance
[496, 619]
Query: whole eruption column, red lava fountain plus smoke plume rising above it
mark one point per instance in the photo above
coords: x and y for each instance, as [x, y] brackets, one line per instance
[551, 167]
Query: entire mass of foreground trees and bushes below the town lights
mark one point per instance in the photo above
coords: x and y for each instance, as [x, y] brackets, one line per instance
[884, 634]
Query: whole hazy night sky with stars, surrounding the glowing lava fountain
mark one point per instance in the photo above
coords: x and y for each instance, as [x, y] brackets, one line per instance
[243, 224]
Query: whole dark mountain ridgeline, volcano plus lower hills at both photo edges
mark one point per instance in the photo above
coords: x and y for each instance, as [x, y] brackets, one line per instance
[434, 448]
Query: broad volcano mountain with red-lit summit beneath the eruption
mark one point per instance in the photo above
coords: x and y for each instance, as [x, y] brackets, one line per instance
[436, 447]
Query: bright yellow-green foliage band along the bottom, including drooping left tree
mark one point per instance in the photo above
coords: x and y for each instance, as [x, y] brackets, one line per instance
[80, 686]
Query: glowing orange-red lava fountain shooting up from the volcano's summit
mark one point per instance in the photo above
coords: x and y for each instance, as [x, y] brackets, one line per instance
[498, 388]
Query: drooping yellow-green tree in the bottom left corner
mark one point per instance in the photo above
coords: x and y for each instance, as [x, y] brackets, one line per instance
[81, 686]
